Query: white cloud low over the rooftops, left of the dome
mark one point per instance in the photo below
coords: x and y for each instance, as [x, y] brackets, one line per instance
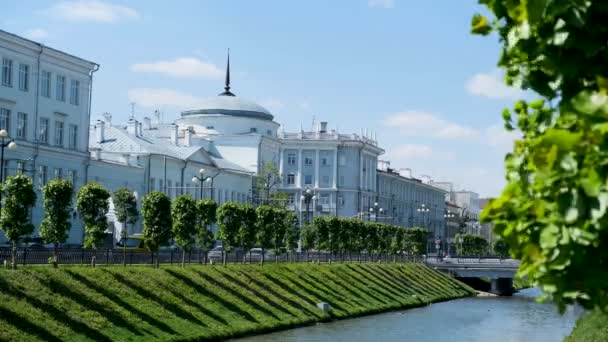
[158, 97]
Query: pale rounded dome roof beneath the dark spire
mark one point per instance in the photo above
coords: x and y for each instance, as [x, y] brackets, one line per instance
[231, 106]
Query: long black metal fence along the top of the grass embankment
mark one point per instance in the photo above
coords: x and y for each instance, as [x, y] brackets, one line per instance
[79, 256]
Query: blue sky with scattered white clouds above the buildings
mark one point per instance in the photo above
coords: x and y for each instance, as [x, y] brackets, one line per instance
[407, 71]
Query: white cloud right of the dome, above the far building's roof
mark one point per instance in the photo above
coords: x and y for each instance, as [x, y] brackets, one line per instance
[424, 124]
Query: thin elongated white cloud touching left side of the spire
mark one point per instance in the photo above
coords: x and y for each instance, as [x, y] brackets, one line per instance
[183, 67]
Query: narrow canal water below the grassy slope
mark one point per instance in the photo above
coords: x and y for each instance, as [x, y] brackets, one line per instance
[493, 319]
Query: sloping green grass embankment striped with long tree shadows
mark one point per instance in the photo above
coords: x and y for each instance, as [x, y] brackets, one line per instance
[204, 302]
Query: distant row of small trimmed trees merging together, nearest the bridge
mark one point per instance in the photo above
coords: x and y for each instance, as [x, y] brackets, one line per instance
[345, 235]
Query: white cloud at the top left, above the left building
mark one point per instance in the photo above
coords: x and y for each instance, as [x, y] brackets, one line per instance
[92, 10]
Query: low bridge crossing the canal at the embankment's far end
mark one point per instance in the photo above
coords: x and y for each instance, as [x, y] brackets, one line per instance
[500, 271]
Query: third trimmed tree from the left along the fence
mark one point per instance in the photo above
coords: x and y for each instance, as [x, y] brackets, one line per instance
[92, 204]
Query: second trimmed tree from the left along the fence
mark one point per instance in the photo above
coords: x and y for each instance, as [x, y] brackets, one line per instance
[57, 195]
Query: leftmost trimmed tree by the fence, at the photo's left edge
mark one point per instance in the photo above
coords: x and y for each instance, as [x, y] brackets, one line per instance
[18, 199]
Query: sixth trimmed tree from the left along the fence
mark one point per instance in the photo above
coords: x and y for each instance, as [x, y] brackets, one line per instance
[185, 217]
